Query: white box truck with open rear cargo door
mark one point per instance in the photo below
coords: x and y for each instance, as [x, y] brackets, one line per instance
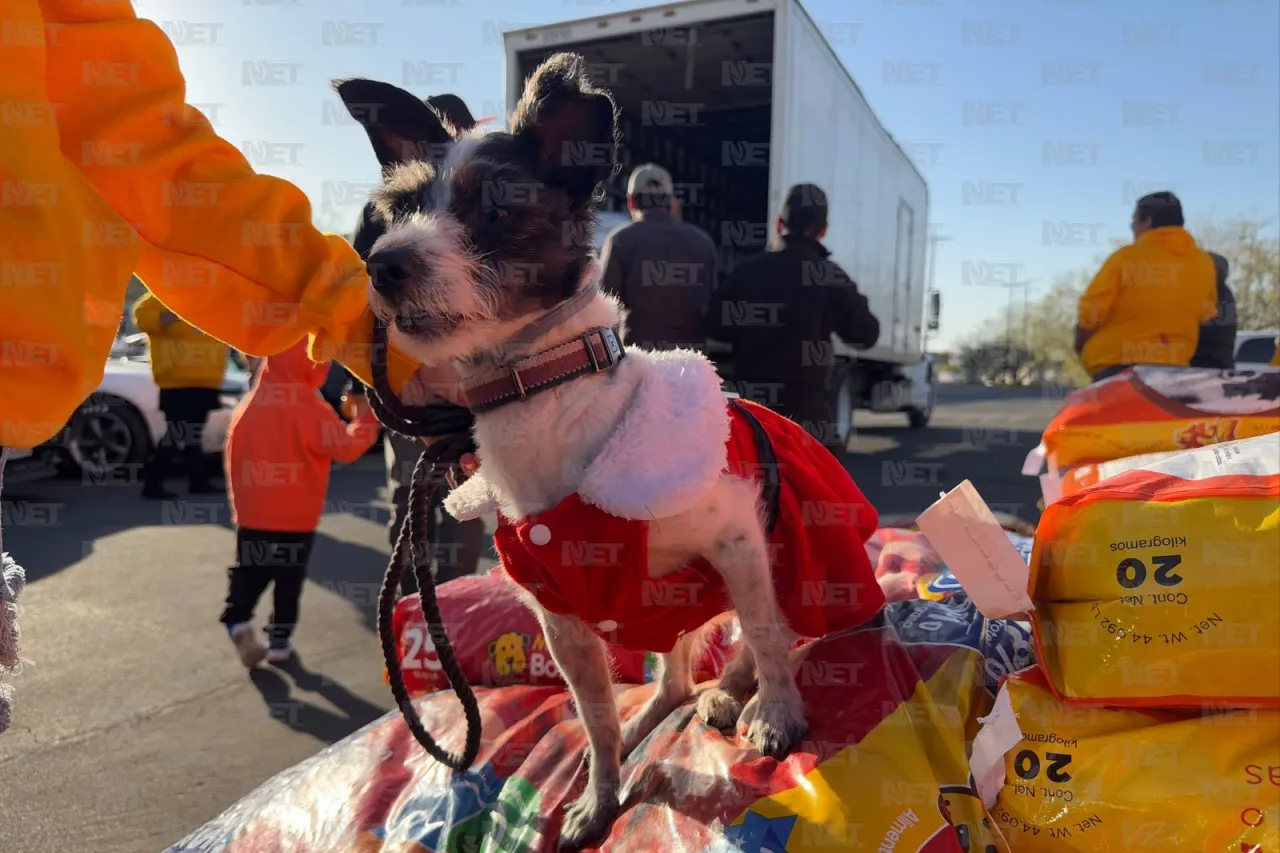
[740, 101]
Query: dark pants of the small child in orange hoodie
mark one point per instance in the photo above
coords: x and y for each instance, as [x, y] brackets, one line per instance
[268, 558]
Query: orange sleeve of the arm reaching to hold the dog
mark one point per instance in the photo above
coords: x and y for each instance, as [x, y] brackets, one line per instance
[232, 252]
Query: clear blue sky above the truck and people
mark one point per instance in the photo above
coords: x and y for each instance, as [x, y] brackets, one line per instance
[1035, 122]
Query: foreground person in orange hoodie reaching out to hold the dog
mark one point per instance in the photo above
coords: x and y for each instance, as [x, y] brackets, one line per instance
[106, 171]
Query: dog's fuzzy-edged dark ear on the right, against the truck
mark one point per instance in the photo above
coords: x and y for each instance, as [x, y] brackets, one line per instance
[569, 127]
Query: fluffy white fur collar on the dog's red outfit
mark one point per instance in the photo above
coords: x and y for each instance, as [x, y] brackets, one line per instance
[665, 454]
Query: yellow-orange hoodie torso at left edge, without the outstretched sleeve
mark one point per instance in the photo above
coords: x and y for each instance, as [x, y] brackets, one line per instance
[61, 299]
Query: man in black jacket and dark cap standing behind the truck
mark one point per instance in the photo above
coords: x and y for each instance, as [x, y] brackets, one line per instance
[779, 312]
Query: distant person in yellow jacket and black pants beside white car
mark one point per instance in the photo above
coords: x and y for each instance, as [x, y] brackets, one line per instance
[189, 368]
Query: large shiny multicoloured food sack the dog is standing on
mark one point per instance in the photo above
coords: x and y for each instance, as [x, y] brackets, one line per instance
[884, 767]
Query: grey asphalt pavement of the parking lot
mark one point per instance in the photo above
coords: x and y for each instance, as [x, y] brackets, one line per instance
[134, 720]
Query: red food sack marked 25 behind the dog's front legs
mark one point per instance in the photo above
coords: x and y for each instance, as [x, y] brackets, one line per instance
[499, 641]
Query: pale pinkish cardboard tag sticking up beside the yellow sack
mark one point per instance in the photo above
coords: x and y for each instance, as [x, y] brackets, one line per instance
[979, 553]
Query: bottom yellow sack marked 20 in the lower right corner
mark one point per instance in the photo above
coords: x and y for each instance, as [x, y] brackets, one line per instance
[1063, 779]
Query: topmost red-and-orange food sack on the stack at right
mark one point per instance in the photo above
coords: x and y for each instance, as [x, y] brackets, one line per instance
[1154, 410]
